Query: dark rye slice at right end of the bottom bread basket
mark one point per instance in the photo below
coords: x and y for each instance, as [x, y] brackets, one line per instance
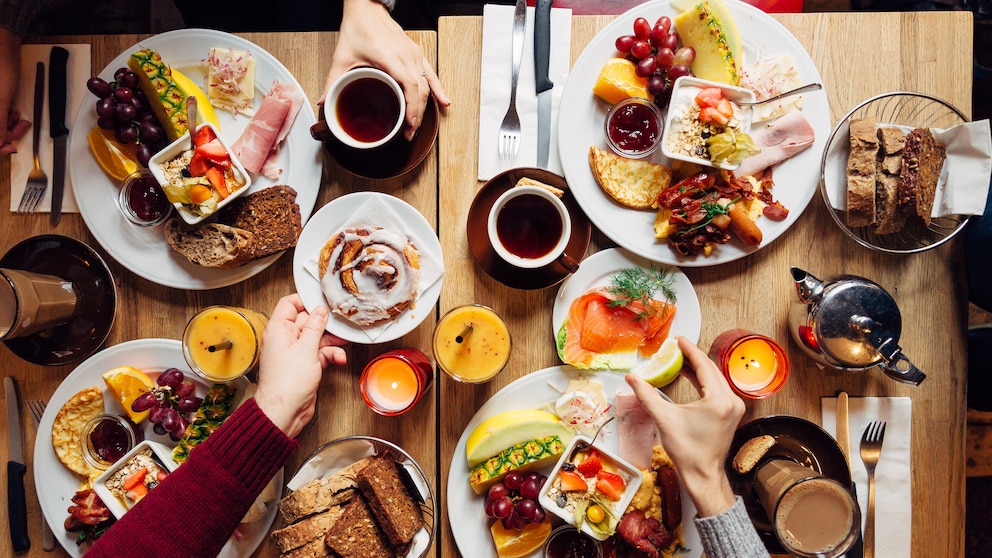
[387, 495]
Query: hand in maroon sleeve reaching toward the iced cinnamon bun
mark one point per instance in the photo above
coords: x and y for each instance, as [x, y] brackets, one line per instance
[295, 351]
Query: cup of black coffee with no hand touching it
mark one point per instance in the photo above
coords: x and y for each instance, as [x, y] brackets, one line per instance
[530, 227]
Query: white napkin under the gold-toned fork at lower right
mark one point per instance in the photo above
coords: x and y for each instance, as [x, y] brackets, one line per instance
[893, 489]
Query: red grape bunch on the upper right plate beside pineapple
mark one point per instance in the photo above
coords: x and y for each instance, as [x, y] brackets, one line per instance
[658, 56]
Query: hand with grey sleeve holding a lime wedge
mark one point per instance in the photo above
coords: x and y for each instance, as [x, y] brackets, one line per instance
[697, 435]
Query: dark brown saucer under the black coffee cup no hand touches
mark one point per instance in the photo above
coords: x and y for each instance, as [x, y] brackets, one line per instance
[499, 269]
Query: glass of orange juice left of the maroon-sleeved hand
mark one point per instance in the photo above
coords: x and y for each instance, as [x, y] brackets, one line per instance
[222, 343]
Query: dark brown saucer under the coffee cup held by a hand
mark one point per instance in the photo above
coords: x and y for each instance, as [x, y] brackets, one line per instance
[393, 159]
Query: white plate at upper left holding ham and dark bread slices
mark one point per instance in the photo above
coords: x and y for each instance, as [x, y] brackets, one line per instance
[143, 250]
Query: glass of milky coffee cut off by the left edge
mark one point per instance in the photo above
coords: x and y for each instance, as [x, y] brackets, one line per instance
[33, 302]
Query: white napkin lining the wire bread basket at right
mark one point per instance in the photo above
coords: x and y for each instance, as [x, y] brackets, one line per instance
[963, 185]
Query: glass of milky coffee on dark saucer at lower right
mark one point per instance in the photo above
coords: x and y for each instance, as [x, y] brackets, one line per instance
[812, 515]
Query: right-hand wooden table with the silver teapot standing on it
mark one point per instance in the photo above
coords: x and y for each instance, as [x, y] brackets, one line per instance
[858, 55]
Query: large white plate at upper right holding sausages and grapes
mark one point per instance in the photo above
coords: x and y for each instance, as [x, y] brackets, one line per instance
[796, 179]
